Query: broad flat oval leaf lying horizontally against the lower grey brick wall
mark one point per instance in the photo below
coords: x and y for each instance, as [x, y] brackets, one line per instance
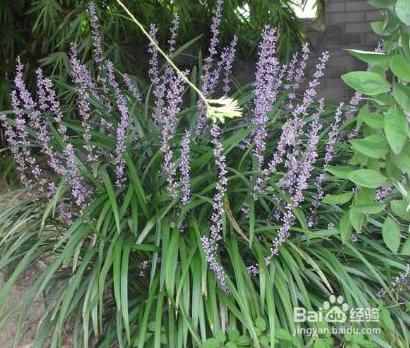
[366, 82]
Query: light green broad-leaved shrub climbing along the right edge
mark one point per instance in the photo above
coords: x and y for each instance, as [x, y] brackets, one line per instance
[381, 144]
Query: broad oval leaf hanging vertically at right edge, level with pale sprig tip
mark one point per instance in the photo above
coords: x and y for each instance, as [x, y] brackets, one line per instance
[395, 128]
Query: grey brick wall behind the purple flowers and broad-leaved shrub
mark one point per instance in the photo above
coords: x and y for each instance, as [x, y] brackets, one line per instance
[346, 25]
